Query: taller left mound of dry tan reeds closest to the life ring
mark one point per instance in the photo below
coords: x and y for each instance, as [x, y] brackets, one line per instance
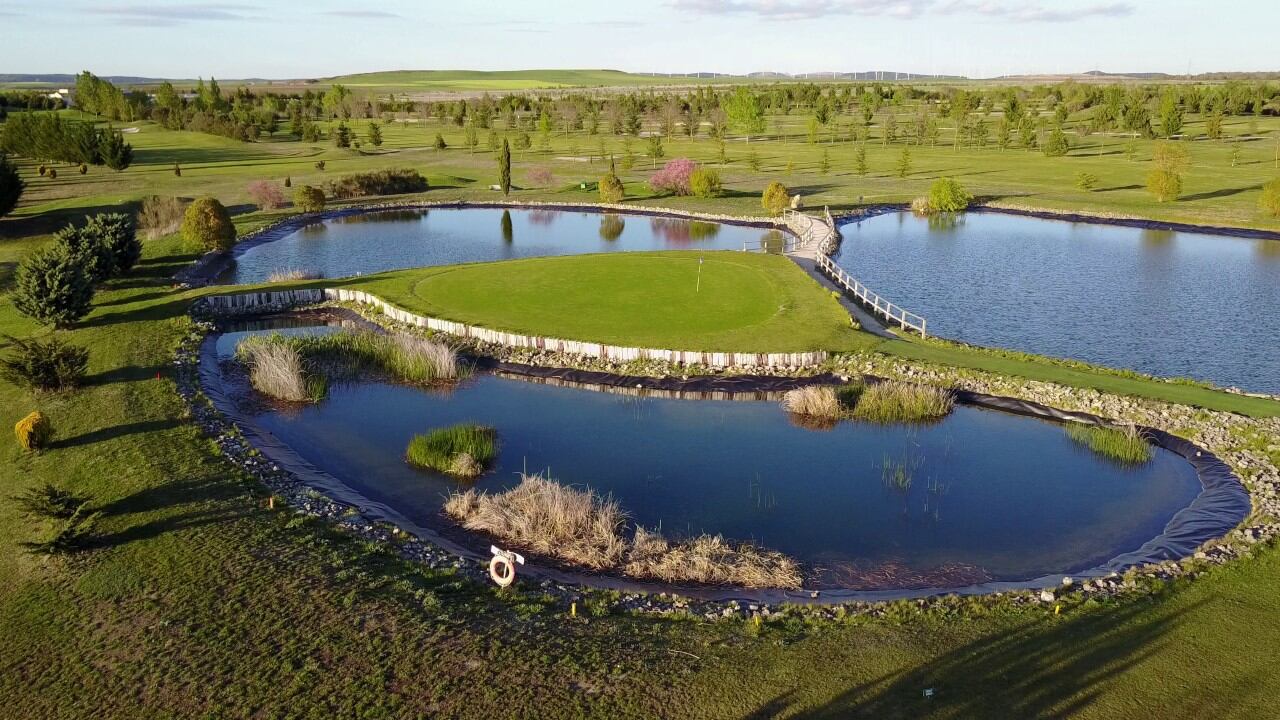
[546, 517]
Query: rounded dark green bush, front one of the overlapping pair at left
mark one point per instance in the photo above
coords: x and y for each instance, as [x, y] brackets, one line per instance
[52, 288]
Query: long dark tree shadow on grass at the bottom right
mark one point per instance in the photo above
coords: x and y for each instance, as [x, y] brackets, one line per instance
[1043, 669]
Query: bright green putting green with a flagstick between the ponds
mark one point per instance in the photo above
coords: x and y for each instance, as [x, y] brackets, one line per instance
[678, 300]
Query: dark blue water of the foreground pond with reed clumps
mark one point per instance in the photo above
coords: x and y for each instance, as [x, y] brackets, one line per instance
[993, 496]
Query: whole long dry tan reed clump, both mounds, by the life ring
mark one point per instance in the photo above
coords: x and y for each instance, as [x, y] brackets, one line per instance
[586, 528]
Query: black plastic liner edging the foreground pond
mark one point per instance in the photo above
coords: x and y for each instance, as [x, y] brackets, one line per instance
[1220, 507]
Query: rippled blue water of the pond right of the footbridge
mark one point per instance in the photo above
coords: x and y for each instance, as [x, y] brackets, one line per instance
[1164, 303]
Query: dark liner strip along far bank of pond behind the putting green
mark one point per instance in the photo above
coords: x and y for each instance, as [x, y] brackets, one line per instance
[212, 267]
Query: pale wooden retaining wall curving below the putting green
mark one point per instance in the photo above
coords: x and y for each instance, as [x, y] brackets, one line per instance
[273, 300]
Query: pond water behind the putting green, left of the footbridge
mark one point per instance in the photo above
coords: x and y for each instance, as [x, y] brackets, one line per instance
[412, 239]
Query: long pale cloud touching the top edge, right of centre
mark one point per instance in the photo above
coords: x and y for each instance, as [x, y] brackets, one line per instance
[1011, 11]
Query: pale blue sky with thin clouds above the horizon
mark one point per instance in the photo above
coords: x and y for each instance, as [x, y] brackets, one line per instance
[272, 39]
